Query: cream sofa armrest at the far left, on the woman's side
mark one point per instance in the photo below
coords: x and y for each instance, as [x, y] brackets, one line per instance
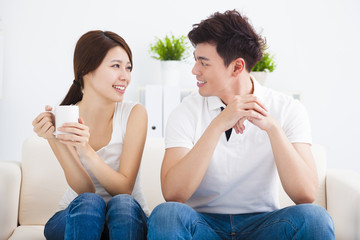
[10, 180]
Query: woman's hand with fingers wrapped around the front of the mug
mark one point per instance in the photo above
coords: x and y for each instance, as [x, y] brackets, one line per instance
[78, 136]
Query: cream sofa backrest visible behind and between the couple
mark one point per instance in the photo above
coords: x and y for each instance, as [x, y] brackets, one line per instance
[43, 181]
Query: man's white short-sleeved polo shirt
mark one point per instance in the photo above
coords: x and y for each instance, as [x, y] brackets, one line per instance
[242, 175]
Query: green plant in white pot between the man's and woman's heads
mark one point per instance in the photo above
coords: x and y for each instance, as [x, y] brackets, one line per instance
[171, 51]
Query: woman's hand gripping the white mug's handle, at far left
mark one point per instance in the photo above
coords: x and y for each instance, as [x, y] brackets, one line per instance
[44, 124]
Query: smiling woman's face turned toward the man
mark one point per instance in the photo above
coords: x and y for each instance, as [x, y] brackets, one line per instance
[112, 77]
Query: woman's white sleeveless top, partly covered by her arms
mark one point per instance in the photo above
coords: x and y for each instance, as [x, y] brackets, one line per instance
[110, 154]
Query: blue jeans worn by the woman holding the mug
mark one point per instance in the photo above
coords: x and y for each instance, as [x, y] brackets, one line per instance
[89, 217]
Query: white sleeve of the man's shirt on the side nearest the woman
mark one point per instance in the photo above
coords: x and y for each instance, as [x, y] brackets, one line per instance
[180, 128]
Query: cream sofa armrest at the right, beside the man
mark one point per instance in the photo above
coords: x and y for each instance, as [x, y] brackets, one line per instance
[343, 202]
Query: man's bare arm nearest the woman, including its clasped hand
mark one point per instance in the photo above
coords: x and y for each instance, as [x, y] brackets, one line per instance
[183, 169]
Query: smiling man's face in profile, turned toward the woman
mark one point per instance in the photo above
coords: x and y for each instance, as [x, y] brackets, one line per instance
[212, 75]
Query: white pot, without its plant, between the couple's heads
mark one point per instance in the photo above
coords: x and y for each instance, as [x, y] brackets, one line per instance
[171, 72]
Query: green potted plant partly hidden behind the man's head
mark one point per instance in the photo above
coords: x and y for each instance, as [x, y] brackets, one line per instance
[263, 67]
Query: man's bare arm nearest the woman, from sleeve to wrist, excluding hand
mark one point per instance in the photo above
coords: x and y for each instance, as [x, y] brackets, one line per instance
[183, 169]
